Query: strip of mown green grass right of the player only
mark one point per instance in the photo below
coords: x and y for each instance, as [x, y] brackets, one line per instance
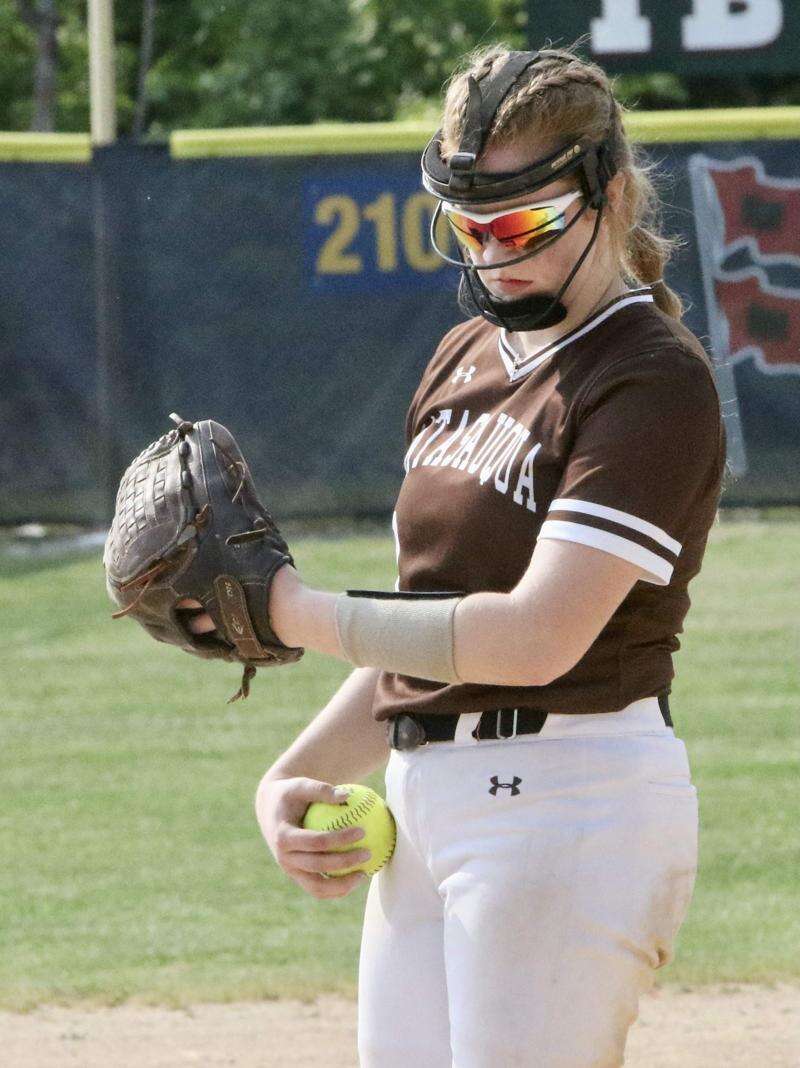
[738, 703]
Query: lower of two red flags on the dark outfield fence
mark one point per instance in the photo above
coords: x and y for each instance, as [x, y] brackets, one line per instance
[763, 321]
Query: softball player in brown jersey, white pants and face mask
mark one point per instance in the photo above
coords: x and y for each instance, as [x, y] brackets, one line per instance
[564, 462]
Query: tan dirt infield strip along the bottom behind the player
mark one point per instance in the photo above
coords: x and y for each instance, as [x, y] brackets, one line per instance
[734, 1027]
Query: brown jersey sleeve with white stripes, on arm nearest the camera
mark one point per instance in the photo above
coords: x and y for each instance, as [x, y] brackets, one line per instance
[646, 462]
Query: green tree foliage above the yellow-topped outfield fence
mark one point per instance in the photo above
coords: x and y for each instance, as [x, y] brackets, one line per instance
[265, 62]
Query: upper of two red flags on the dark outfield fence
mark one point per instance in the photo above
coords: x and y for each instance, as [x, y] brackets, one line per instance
[758, 210]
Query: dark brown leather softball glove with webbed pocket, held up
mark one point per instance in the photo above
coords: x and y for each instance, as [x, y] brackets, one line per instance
[190, 528]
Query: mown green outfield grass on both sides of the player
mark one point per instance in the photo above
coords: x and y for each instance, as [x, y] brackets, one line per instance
[131, 863]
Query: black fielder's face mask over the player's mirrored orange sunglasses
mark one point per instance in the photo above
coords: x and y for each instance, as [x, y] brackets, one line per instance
[529, 229]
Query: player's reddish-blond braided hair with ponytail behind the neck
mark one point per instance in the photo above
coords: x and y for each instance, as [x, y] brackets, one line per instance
[560, 100]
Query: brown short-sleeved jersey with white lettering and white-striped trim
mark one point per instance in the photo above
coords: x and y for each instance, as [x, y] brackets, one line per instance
[610, 437]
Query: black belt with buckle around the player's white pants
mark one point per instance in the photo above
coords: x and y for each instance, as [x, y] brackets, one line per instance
[407, 731]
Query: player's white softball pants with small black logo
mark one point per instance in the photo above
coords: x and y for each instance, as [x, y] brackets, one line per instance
[537, 885]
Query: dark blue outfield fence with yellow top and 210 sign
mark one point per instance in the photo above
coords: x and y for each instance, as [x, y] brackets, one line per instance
[283, 281]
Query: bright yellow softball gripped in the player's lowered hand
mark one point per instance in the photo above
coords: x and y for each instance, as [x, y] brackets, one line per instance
[365, 809]
